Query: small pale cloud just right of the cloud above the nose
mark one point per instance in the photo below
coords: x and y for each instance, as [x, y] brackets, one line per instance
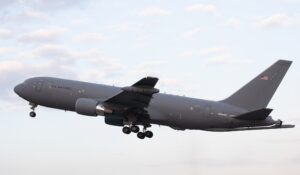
[90, 38]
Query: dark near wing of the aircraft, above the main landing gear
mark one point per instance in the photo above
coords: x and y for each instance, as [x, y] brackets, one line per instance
[136, 96]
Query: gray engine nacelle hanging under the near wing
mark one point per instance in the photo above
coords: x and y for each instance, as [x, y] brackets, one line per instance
[91, 107]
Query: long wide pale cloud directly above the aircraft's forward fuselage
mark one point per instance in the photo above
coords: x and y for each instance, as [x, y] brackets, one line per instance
[92, 58]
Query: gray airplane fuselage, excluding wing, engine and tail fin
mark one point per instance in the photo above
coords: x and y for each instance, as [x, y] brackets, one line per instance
[164, 109]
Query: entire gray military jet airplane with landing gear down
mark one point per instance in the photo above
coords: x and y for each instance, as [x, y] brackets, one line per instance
[142, 104]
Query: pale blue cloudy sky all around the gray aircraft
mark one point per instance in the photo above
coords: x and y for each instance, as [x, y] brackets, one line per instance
[202, 49]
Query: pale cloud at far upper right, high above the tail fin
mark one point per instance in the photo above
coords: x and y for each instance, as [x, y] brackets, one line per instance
[276, 20]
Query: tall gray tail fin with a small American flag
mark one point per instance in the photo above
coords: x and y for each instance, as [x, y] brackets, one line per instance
[258, 92]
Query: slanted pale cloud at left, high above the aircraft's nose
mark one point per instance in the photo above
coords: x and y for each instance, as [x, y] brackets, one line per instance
[50, 34]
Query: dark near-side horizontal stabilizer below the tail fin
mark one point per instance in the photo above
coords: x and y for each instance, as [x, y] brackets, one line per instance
[260, 114]
